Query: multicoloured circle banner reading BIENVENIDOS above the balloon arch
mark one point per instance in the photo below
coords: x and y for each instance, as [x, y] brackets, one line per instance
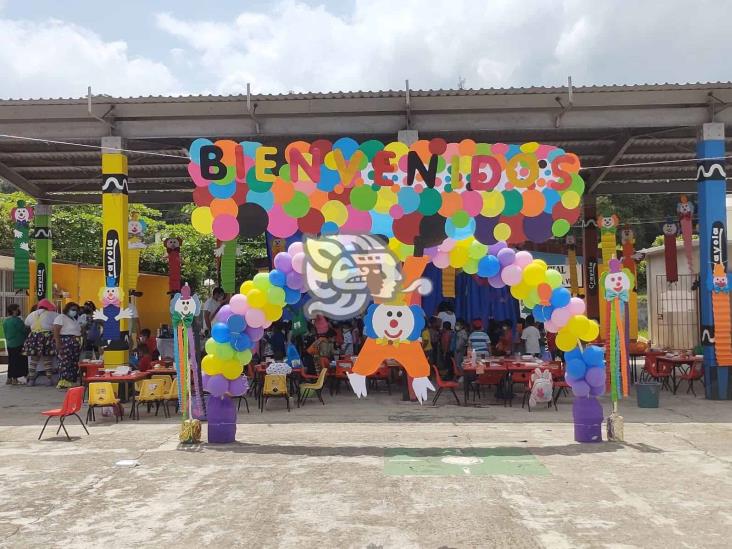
[429, 189]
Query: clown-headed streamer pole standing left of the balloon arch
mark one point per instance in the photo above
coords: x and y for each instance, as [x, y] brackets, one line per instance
[183, 309]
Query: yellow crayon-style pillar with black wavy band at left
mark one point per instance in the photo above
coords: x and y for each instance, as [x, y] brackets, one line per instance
[115, 212]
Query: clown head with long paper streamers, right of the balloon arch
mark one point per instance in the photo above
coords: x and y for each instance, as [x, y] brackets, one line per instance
[617, 283]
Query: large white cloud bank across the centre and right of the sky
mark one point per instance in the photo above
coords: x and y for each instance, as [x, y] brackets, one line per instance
[498, 43]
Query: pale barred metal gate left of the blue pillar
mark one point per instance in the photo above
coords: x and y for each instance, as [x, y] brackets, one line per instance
[676, 312]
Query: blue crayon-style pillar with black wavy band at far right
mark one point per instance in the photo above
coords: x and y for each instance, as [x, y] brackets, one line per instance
[712, 189]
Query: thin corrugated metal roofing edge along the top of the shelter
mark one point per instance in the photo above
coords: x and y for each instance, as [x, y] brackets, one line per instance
[379, 94]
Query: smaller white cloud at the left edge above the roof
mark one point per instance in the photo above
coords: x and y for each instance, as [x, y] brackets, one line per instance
[57, 59]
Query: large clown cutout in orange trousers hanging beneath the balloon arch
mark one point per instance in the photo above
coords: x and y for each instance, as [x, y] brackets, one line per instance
[393, 329]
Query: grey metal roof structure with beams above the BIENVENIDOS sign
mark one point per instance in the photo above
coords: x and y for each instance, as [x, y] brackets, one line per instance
[628, 128]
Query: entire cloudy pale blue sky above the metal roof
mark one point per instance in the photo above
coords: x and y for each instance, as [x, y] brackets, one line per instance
[147, 47]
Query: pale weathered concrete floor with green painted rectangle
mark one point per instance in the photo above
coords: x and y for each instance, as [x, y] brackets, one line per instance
[334, 476]
